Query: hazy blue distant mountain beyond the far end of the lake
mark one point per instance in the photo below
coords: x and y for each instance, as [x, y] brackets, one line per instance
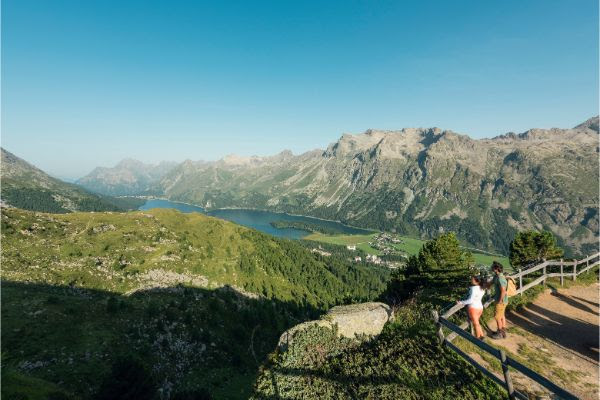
[126, 178]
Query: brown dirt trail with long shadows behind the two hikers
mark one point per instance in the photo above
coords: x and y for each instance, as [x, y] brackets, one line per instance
[557, 336]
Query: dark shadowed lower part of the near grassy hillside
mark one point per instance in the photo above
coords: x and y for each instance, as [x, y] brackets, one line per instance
[211, 340]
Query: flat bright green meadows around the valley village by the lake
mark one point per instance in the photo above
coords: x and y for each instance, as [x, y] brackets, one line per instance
[409, 245]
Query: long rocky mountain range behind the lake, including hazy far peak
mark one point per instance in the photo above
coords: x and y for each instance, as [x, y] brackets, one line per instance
[417, 181]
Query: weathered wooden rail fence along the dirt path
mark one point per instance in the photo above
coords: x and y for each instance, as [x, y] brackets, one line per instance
[566, 269]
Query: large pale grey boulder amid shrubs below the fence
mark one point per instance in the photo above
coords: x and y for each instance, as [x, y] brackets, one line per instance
[354, 321]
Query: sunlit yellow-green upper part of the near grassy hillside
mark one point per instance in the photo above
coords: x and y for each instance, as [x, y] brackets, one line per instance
[117, 252]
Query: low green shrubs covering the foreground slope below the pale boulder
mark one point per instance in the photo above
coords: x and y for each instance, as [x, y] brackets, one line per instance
[402, 363]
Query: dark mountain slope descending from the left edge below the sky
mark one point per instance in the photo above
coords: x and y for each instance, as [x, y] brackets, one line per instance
[27, 187]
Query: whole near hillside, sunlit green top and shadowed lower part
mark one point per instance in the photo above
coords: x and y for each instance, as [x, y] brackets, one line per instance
[81, 288]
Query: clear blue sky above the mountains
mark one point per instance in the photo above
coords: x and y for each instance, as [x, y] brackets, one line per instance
[87, 83]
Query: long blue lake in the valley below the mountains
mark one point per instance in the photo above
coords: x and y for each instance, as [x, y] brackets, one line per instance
[259, 220]
